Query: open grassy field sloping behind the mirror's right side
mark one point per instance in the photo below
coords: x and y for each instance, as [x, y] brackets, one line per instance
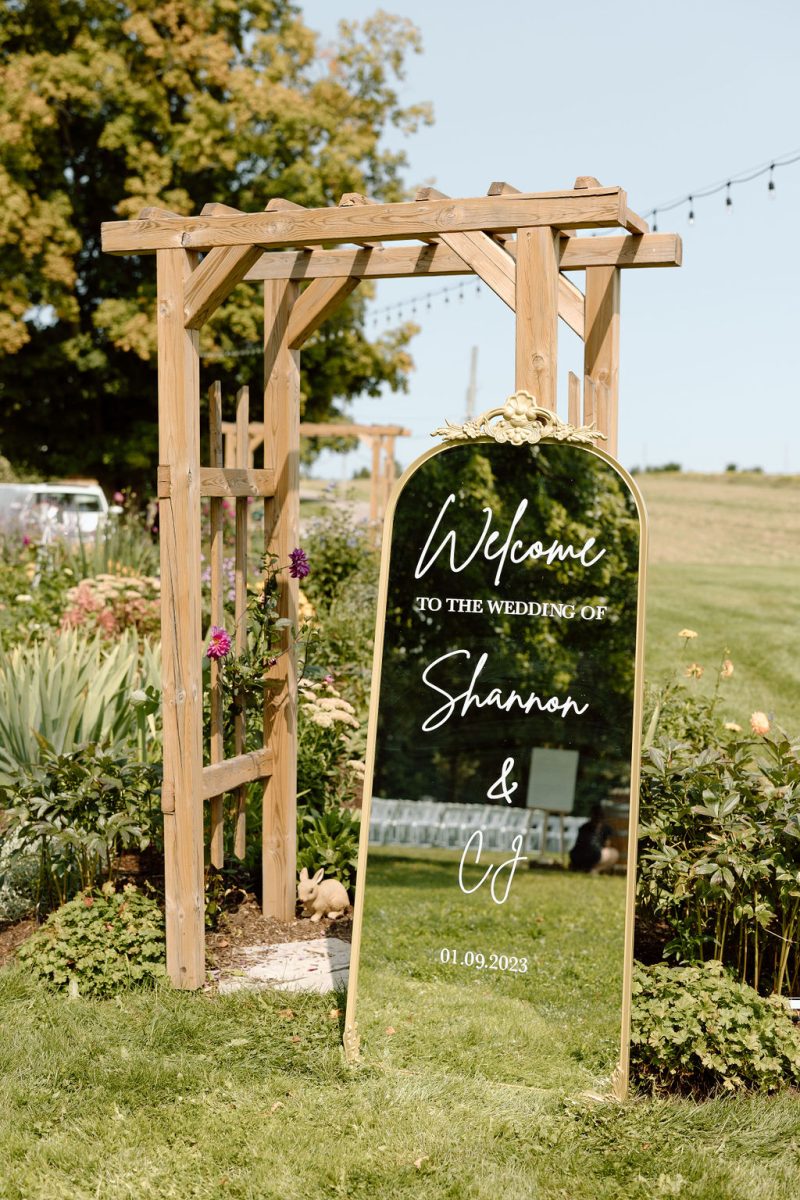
[724, 562]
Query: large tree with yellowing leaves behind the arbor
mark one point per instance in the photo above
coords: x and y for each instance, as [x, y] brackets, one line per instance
[107, 107]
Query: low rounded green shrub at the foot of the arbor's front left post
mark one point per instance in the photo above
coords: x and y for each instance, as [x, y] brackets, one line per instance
[99, 944]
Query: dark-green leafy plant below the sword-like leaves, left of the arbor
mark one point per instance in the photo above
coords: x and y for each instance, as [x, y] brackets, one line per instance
[77, 812]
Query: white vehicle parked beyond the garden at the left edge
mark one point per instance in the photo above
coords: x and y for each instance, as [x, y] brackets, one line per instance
[47, 511]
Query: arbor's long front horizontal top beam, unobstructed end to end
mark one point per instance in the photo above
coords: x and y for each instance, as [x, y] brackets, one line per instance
[590, 208]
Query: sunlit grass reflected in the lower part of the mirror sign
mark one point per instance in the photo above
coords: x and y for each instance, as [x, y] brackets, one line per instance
[555, 1025]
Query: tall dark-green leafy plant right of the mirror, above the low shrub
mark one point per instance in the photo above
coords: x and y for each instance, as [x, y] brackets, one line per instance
[720, 854]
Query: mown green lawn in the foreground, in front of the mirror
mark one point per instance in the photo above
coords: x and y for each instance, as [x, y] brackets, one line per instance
[167, 1095]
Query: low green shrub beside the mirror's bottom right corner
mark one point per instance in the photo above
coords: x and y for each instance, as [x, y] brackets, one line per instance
[696, 1030]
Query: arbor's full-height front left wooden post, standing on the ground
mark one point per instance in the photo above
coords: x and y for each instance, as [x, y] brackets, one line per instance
[179, 453]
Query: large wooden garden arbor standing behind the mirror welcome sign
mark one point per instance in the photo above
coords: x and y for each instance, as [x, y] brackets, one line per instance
[519, 244]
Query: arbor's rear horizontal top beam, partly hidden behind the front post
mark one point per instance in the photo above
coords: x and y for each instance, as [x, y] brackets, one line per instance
[398, 262]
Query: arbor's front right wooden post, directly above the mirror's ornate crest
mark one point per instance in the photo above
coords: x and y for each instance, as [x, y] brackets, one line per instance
[538, 308]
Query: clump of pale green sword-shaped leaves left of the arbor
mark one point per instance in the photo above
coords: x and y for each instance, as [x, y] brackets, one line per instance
[70, 691]
